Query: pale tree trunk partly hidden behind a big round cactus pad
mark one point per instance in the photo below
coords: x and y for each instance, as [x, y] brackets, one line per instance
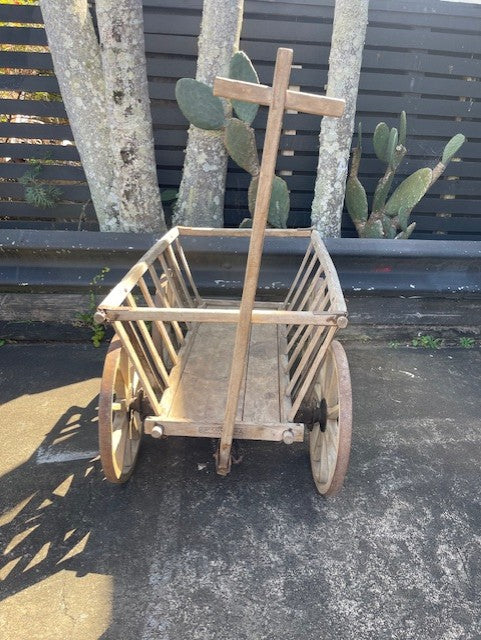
[201, 194]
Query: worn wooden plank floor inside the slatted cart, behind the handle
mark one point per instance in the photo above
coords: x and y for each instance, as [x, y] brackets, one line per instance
[201, 393]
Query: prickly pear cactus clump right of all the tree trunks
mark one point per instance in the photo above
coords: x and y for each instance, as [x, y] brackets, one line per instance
[389, 217]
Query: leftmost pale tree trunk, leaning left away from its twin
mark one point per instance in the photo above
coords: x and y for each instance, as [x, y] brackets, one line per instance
[76, 58]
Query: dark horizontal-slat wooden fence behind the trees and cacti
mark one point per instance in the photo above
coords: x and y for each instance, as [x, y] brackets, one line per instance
[423, 56]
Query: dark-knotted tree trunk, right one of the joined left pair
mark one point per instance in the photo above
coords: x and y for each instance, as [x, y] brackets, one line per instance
[135, 190]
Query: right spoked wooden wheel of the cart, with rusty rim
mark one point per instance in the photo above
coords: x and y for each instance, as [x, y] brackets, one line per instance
[330, 438]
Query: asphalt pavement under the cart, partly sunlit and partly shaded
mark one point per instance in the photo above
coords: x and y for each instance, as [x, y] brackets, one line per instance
[181, 553]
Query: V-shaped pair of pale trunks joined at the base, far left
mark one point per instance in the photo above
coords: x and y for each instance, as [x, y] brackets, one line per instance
[106, 99]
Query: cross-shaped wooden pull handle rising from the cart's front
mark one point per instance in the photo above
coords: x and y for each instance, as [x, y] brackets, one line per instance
[278, 98]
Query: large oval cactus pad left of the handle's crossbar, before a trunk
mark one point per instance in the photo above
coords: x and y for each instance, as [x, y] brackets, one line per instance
[199, 105]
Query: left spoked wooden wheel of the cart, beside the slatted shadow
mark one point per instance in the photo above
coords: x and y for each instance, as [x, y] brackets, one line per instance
[120, 423]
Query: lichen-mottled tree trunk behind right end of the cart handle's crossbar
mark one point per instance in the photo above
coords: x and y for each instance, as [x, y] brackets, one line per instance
[348, 35]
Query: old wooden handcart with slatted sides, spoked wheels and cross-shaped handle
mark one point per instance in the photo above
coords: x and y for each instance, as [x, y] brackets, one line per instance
[184, 365]
